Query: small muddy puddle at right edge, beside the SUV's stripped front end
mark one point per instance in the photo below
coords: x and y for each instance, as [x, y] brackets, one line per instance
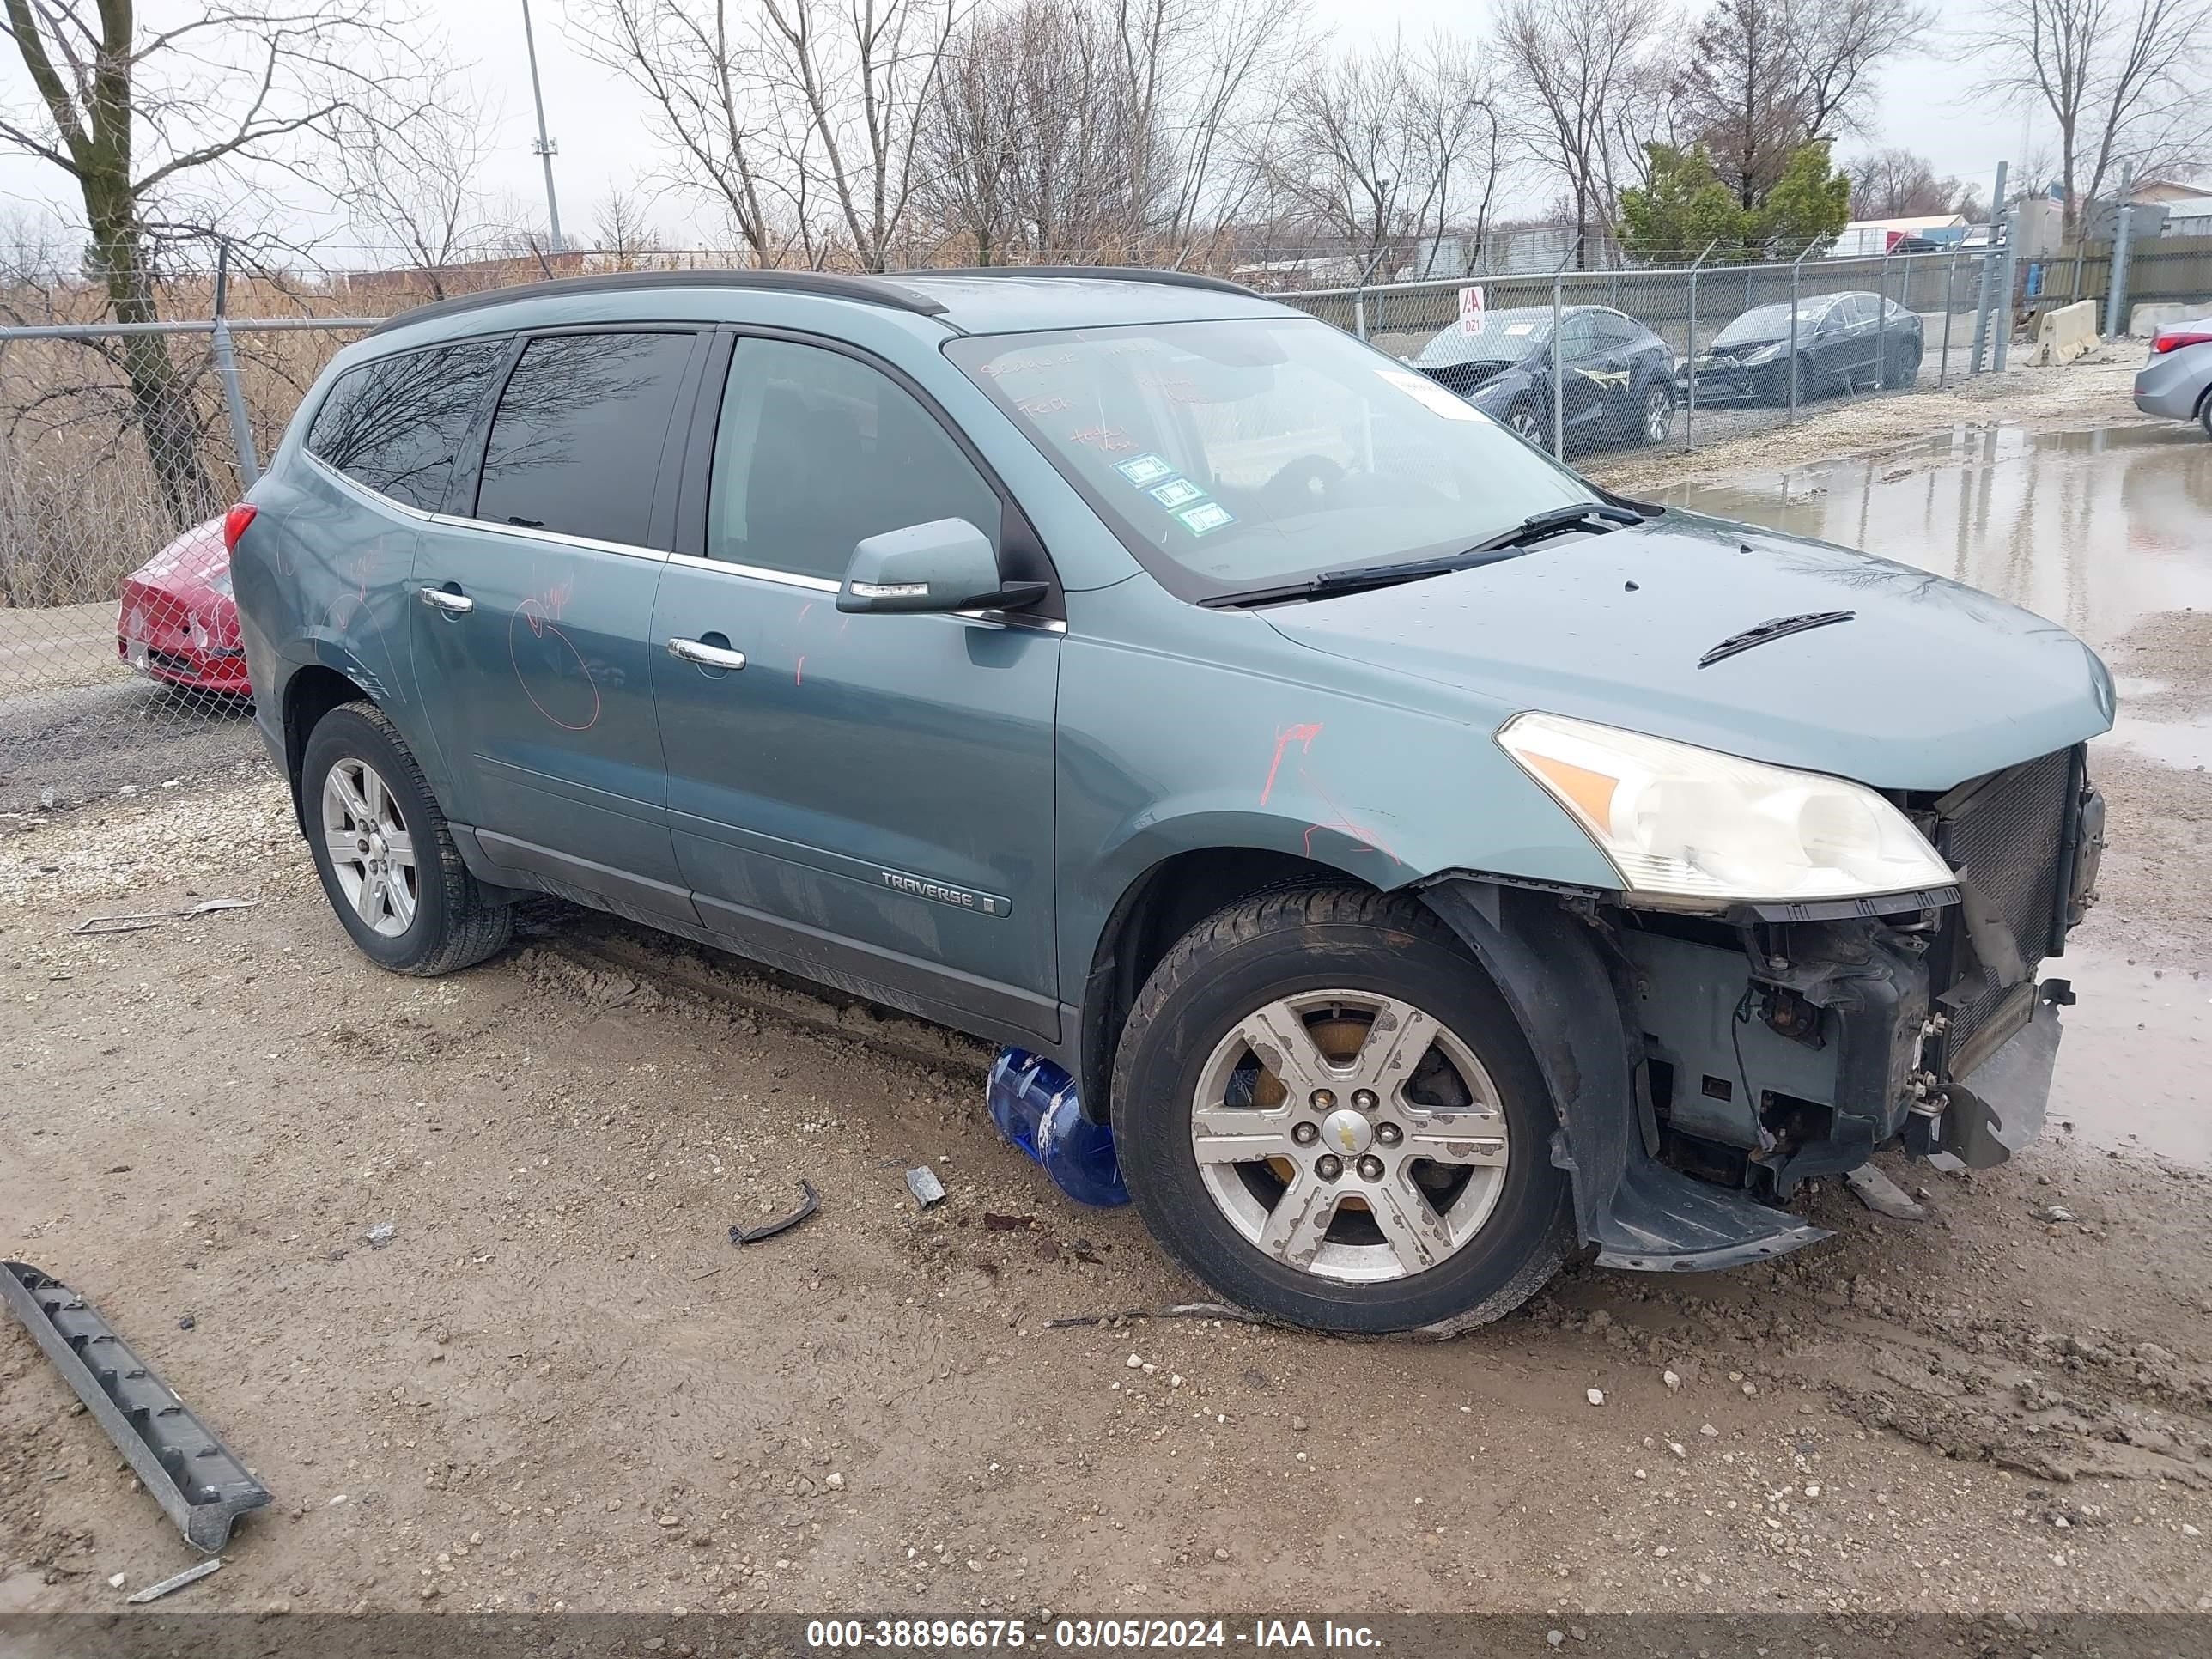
[2136, 1067]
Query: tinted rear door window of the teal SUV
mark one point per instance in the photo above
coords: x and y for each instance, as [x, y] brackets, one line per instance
[576, 444]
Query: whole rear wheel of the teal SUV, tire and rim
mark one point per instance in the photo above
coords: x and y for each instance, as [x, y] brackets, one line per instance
[382, 846]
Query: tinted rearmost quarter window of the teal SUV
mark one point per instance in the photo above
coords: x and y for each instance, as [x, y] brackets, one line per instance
[393, 426]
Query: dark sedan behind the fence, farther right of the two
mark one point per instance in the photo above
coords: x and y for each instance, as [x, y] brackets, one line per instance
[1844, 344]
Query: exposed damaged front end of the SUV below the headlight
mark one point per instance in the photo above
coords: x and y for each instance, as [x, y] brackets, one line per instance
[1775, 1043]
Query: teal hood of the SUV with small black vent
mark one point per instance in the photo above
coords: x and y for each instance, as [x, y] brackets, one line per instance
[1926, 685]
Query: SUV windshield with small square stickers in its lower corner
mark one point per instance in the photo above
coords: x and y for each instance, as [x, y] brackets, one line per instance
[1251, 455]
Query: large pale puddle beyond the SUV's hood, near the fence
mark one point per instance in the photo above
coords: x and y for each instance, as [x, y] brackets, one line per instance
[2094, 530]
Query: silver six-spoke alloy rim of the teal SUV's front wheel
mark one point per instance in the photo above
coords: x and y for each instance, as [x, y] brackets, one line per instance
[1350, 1136]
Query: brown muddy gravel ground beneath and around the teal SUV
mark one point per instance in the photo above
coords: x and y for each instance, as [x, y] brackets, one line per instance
[561, 1386]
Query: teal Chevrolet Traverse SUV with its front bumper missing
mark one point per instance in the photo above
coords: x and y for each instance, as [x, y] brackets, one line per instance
[1428, 864]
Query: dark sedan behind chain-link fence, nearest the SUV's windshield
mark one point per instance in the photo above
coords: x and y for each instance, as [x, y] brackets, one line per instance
[1618, 377]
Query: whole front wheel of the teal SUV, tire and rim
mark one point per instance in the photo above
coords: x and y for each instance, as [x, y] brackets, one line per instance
[1326, 1112]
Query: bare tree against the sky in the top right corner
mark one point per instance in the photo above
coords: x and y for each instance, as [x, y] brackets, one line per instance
[2125, 83]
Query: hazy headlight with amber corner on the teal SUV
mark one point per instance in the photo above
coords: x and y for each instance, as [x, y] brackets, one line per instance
[1695, 824]
